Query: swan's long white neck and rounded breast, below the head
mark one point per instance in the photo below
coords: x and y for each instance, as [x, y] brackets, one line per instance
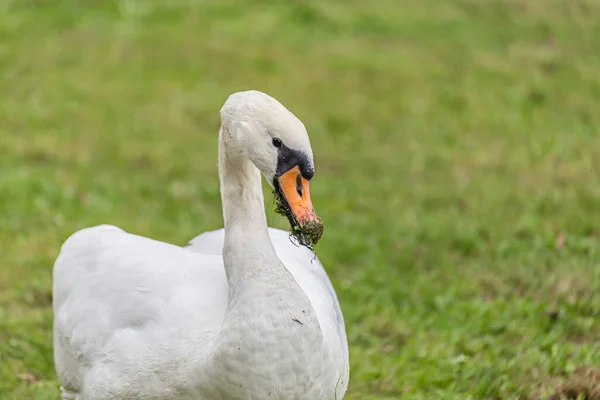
[270, 341]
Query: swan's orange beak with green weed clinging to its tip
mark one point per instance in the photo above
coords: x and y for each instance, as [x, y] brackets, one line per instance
[293, 195]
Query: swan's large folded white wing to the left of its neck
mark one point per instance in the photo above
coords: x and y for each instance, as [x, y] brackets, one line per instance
[116, 295]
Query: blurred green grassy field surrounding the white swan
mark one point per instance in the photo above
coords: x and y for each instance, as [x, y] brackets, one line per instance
[457, 157]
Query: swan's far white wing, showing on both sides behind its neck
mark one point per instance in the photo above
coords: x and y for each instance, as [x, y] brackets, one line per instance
[308, 271]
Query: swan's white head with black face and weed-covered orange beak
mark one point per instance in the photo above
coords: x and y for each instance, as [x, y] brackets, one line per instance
[277, 143]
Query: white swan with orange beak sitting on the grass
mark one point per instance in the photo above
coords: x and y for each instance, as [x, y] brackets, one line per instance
[241, 312]
